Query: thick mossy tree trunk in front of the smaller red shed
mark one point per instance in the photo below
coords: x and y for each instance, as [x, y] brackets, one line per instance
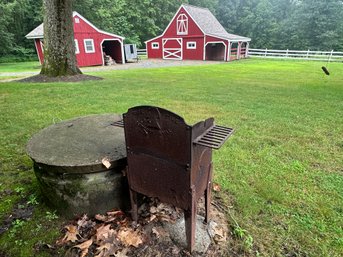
[59, 46]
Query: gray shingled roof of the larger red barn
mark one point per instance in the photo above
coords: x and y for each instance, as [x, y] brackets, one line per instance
[209, 24]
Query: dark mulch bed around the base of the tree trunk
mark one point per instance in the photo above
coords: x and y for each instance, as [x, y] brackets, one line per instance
[45, 79]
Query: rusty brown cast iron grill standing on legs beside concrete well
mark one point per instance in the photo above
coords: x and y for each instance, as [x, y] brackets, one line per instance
[171, 160]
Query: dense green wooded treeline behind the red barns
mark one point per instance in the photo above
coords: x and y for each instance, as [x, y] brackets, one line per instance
[278, 24]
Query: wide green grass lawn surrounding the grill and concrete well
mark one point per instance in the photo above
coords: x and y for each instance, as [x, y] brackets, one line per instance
[281, 173]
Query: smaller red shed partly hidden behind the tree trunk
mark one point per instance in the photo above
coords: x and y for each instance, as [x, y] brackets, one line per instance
[91, 43]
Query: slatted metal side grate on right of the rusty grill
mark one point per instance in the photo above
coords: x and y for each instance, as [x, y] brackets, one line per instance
[215, 137]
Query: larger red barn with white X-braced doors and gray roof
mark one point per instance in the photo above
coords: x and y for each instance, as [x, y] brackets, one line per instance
[195, 34]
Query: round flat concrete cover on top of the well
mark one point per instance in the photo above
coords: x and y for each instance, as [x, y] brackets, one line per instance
[84, 142]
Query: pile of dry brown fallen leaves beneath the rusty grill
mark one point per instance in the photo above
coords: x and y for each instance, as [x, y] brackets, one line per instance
[115, 234]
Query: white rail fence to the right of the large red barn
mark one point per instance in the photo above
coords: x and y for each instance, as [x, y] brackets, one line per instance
[294, 54]
